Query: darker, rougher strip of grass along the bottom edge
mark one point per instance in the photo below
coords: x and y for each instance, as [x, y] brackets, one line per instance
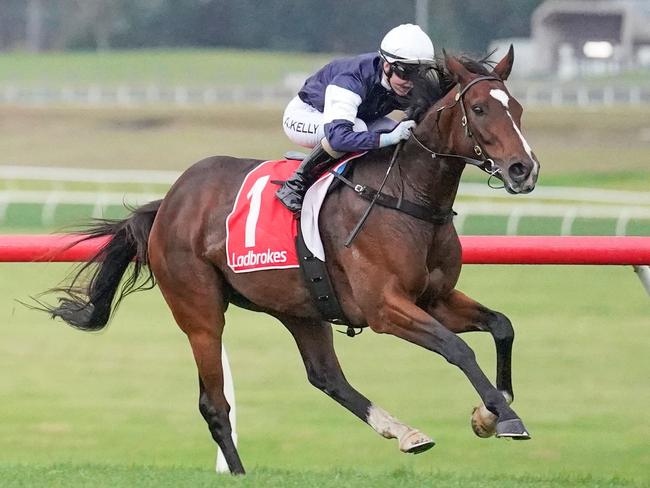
[70, 475]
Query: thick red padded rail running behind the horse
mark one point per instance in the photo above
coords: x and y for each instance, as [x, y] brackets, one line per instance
[476, 249]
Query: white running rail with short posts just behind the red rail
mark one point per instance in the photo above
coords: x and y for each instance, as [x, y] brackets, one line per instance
[474, 199]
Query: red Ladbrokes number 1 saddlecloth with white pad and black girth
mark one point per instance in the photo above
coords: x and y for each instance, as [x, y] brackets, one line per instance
[262, 234]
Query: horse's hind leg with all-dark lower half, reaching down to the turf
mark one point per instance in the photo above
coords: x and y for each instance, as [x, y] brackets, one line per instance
[194, 292]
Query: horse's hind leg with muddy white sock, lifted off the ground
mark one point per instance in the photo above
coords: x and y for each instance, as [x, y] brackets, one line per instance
[315, 343]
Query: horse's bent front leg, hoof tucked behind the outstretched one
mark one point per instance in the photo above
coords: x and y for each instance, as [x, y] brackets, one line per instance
[459, 313]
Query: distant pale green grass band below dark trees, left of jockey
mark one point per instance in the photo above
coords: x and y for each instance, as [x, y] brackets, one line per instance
[190, 67]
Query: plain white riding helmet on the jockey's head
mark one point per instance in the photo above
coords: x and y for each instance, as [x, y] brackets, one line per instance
[407, 43]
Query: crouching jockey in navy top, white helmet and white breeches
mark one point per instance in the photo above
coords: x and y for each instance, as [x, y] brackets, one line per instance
[342, 107]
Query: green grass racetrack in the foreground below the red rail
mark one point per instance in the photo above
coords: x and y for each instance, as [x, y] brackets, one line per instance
[119, 408]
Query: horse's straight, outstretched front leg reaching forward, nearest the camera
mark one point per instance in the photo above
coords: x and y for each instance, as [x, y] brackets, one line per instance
[399, 316]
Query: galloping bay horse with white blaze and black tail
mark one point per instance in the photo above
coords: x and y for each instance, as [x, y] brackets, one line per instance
[397, 277]
